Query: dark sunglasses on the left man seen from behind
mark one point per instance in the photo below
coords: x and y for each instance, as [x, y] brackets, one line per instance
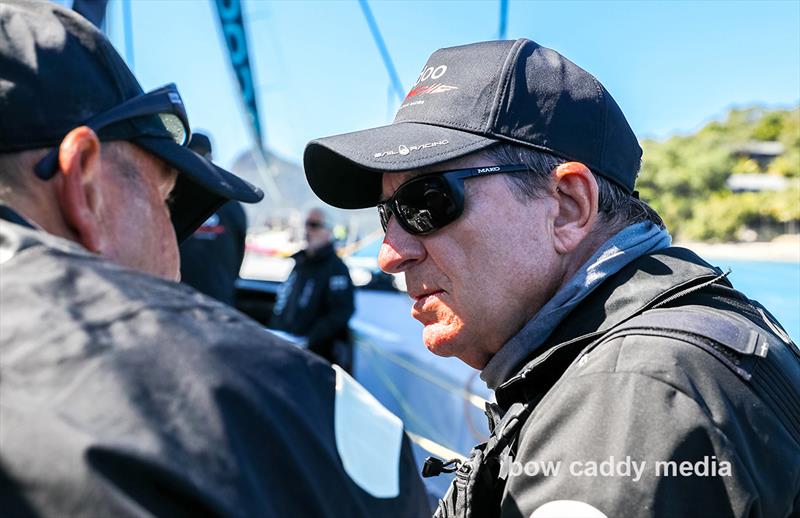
[158, 113]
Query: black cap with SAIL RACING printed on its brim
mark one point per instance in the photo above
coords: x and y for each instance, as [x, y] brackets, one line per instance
[468, 98]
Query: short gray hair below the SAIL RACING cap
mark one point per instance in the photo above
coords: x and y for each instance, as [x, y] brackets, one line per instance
[617, 208]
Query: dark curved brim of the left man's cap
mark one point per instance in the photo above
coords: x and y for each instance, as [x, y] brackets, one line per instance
[201, 187]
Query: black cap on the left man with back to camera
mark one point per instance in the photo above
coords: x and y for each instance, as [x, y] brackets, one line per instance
[57, 71]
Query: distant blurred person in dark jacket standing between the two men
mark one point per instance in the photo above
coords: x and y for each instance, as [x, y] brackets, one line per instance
[316, 301]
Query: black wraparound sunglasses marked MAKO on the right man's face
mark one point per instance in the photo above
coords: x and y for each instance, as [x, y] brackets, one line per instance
[427, 203]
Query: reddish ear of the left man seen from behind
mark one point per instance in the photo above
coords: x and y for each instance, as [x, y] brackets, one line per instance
[79, 189]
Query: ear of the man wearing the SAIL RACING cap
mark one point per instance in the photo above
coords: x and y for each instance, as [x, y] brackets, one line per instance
[576, 193]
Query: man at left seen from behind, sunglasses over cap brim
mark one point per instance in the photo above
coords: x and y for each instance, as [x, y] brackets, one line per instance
[124, 393]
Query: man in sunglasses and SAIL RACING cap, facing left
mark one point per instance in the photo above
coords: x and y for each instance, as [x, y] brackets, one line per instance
[631, 378]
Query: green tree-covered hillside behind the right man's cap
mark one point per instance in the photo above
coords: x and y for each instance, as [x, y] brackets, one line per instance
[684, 177]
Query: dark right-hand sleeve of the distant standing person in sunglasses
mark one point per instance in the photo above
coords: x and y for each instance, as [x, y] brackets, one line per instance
[338, 299]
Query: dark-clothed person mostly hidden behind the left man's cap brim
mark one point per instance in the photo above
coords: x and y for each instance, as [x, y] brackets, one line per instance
[212, 256]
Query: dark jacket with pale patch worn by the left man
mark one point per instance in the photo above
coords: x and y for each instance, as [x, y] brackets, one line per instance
[126, 395]
